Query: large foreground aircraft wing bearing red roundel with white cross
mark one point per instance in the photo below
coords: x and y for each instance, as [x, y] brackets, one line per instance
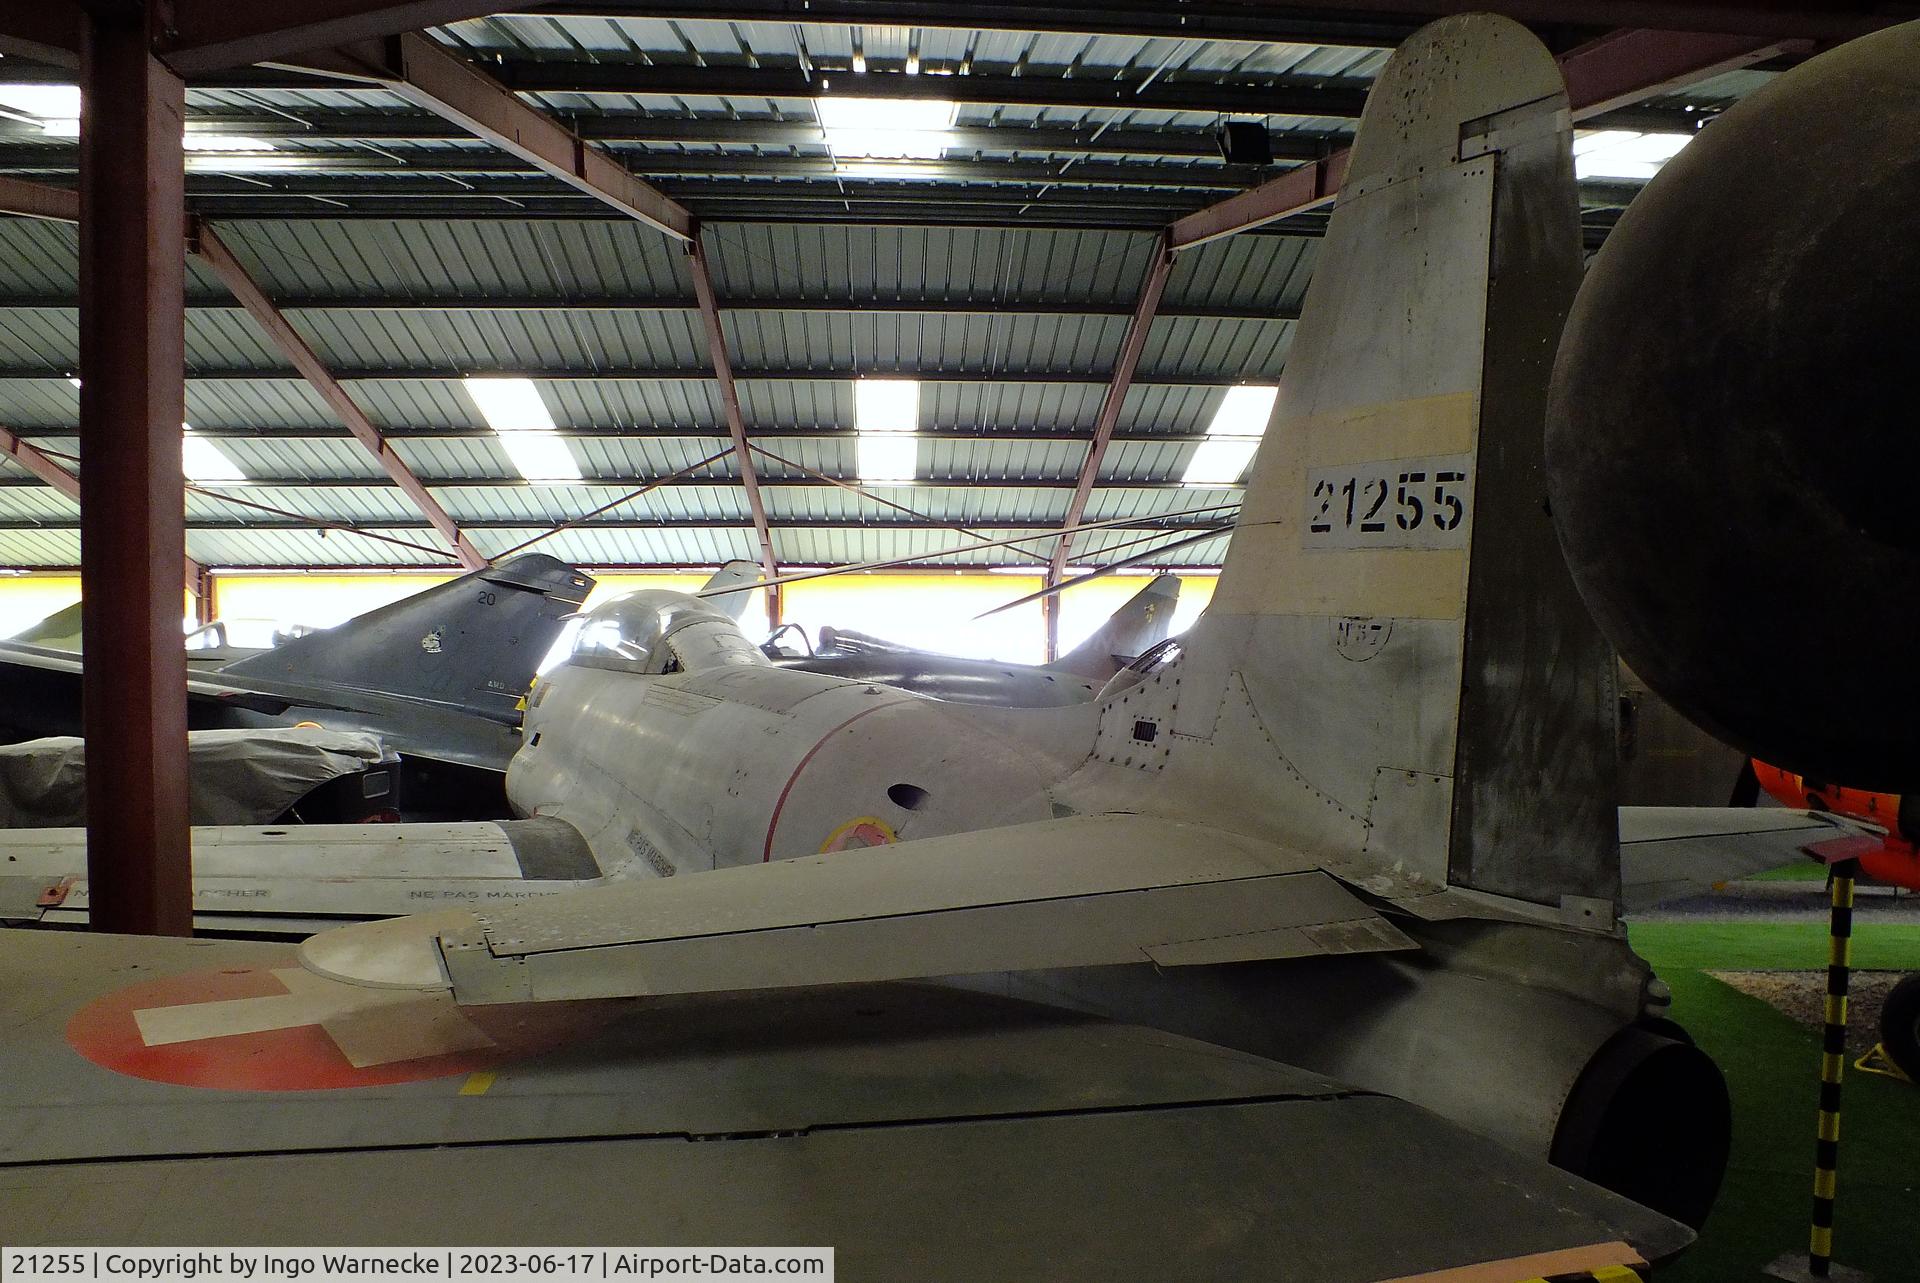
[923, 1132]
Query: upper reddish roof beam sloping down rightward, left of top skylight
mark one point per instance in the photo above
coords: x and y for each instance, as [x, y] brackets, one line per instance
[427, 76]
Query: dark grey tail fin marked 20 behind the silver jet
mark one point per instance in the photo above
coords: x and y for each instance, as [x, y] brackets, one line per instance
[471, 642]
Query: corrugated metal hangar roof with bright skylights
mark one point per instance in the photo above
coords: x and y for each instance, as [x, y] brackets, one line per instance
[999, 270]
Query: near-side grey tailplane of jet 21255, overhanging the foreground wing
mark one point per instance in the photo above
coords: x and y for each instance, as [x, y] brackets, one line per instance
[1076, 892]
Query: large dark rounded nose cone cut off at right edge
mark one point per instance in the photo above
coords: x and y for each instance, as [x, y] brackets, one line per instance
[1735, 429]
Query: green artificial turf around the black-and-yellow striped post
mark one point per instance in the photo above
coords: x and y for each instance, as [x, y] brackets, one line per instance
[1771, 1067]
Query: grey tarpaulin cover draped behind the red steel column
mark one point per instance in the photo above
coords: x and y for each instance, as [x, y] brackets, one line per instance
[239, 777]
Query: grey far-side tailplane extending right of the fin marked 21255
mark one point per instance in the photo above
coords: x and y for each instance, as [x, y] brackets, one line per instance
[1673, 852]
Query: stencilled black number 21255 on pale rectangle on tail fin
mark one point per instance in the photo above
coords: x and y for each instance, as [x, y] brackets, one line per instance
[1391, 504]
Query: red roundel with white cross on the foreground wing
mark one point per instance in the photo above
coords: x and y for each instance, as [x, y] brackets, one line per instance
[277, 1027]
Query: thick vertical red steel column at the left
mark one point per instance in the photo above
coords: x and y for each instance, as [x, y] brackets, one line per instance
[133, 502]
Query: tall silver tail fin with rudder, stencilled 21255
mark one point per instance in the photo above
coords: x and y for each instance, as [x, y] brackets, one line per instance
[1395, 667]
